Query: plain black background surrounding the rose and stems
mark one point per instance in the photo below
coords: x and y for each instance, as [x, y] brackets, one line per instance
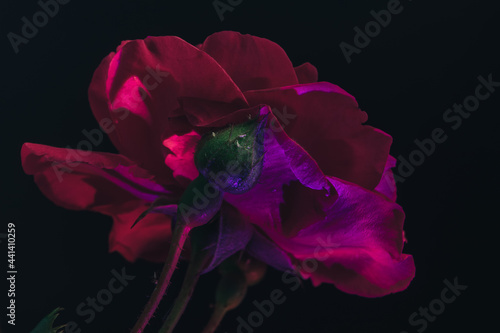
[424, 61]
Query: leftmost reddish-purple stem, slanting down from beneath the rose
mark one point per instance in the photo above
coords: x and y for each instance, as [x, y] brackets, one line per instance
[179, 237]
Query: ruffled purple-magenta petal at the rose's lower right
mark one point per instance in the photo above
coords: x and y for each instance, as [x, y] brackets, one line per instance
[359, 244]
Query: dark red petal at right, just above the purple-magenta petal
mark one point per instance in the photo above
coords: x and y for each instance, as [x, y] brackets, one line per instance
[327, 123]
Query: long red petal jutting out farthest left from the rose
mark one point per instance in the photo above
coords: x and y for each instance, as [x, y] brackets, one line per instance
[79, 180]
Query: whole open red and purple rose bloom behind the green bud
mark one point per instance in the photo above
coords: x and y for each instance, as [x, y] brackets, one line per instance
[326, 190]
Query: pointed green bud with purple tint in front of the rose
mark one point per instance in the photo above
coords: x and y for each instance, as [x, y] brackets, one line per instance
[232, 158]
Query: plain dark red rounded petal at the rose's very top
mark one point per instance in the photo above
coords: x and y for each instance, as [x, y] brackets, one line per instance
[252, 62]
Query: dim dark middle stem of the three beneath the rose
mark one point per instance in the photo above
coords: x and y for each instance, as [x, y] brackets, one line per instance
[192, 274]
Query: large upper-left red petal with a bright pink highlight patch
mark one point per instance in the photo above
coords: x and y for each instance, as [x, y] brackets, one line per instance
[140, 88]
